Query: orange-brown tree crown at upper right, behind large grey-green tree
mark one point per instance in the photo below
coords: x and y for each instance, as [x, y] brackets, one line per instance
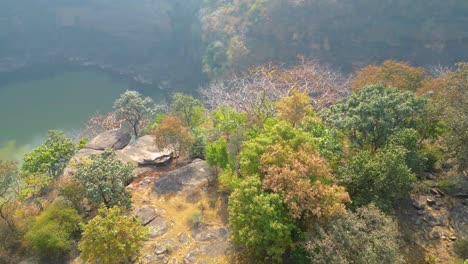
[390, 73]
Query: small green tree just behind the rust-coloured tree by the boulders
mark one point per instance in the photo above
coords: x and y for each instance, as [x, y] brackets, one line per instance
[189, 109]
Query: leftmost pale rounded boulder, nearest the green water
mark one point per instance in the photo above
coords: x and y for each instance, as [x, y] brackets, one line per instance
[112, 139]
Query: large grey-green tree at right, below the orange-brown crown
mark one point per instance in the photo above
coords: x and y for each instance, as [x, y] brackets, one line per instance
[371, 115]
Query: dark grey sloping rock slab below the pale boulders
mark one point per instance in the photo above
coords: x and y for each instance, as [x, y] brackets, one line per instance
[196, 174]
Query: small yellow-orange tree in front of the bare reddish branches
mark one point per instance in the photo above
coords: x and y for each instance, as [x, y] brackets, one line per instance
[294, 108]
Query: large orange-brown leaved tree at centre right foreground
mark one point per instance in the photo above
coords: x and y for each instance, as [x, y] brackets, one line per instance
[304, 181]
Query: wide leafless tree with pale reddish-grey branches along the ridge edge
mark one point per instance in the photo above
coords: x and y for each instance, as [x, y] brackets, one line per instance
[255, 91]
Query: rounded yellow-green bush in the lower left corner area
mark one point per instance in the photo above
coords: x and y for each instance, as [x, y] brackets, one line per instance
[52, 233]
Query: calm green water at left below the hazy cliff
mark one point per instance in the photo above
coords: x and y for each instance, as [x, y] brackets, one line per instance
[28, 109]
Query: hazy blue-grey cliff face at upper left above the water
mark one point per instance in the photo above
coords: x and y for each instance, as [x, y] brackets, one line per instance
[158, 39]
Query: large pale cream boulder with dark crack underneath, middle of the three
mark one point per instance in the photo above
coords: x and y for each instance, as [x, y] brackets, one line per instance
[143, 151]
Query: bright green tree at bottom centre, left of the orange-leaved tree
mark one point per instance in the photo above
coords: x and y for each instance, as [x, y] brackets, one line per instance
[259, 221]
